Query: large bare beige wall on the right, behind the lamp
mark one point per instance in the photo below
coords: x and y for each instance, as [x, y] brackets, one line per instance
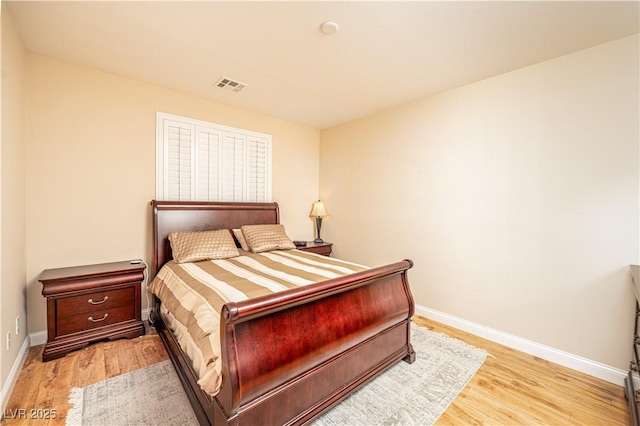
[517, 197]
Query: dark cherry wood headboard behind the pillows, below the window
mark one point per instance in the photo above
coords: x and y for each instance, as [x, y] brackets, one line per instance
[170, 216]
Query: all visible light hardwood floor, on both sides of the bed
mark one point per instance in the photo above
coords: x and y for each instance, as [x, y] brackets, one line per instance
[511, 388]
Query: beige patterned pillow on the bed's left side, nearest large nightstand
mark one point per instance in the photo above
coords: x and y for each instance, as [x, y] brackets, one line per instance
[203, 245]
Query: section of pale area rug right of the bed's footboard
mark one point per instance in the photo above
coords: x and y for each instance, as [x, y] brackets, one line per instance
[412, 394]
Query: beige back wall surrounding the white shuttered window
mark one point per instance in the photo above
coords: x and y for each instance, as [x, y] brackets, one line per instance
[91, 166]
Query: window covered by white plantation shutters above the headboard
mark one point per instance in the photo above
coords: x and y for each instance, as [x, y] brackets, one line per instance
[203, 161]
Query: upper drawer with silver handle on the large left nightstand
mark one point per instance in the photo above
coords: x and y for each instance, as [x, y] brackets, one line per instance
[90, 302]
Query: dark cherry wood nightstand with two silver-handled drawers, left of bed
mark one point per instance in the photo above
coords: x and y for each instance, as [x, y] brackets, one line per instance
[90, 303]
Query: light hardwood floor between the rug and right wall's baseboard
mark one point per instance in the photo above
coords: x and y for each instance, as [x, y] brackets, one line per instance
[514, 388]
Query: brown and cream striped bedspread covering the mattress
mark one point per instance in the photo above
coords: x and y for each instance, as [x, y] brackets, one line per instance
[193, 294]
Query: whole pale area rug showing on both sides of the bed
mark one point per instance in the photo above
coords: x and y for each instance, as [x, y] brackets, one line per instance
[406, 394]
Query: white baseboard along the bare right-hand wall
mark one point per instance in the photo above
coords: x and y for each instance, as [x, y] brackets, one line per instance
[575, 362]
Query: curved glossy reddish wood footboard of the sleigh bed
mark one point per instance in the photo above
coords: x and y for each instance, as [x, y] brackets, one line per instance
[289, 356]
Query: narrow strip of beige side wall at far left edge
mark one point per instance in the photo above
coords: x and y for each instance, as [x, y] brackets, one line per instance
[12, 198]
